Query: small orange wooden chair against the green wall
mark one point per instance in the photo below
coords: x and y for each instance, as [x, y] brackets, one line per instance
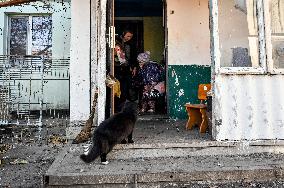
[197, 112]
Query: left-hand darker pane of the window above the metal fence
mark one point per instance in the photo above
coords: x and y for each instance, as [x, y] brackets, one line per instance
[18, 35]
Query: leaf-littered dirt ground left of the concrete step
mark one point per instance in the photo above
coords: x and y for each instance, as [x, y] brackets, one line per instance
[26, 152]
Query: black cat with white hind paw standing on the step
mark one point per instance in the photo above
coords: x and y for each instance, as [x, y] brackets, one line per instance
[112, 131]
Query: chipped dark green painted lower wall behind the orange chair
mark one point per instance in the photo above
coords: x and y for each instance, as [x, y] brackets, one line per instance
[183, 81]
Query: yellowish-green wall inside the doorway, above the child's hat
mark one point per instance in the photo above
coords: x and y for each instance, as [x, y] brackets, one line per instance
[154, 37]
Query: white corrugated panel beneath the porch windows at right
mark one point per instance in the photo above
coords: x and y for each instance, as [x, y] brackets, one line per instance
[249, 107]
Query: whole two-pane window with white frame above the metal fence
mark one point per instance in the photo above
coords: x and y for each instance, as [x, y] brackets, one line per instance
[30, 35]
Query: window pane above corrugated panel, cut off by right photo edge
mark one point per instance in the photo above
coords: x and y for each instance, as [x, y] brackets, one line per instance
[277, 32]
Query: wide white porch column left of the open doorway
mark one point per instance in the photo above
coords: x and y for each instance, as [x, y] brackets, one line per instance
[79, 63]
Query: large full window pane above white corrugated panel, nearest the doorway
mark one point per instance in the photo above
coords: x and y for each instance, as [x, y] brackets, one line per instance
[238, 33]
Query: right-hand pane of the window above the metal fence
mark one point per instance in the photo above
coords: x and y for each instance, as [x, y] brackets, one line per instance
[41, 35]
